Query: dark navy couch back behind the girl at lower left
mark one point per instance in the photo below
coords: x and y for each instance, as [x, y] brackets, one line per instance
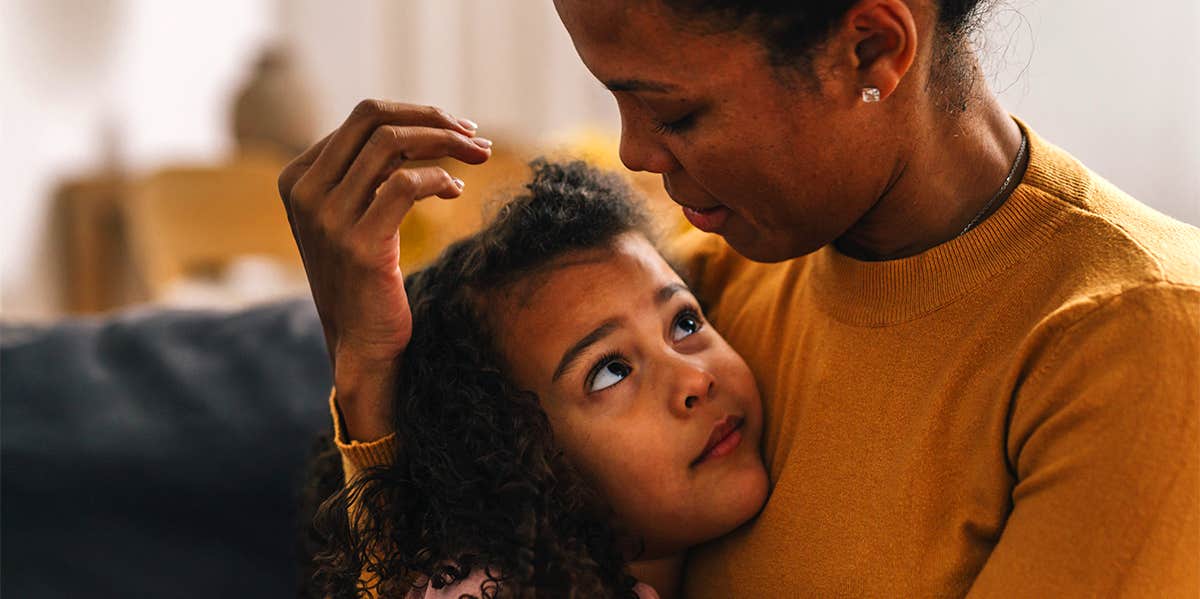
[158, 453]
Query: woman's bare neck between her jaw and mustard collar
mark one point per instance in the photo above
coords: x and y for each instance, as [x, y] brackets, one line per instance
[953, 170]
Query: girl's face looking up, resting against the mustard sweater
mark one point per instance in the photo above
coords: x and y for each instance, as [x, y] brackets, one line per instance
[644, 396]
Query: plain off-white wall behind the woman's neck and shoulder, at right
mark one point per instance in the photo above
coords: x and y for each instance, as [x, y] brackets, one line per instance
[1117, 83]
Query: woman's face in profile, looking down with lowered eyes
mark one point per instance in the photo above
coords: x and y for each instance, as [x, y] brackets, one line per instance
[790, 163]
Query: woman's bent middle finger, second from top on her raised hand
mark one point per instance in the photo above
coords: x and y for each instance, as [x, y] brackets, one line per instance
[392, 146]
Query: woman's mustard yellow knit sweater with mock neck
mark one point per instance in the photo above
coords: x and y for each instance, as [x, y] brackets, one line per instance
[1013, 414]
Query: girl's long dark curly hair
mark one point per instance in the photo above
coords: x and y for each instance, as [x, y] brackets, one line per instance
[478, 481]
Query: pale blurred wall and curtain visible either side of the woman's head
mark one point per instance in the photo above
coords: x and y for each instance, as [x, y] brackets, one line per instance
[1117, 83]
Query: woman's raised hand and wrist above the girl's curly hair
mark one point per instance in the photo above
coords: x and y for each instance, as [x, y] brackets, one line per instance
[345, 199]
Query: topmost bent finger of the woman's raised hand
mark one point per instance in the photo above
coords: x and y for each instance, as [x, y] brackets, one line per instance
[346, 143]
